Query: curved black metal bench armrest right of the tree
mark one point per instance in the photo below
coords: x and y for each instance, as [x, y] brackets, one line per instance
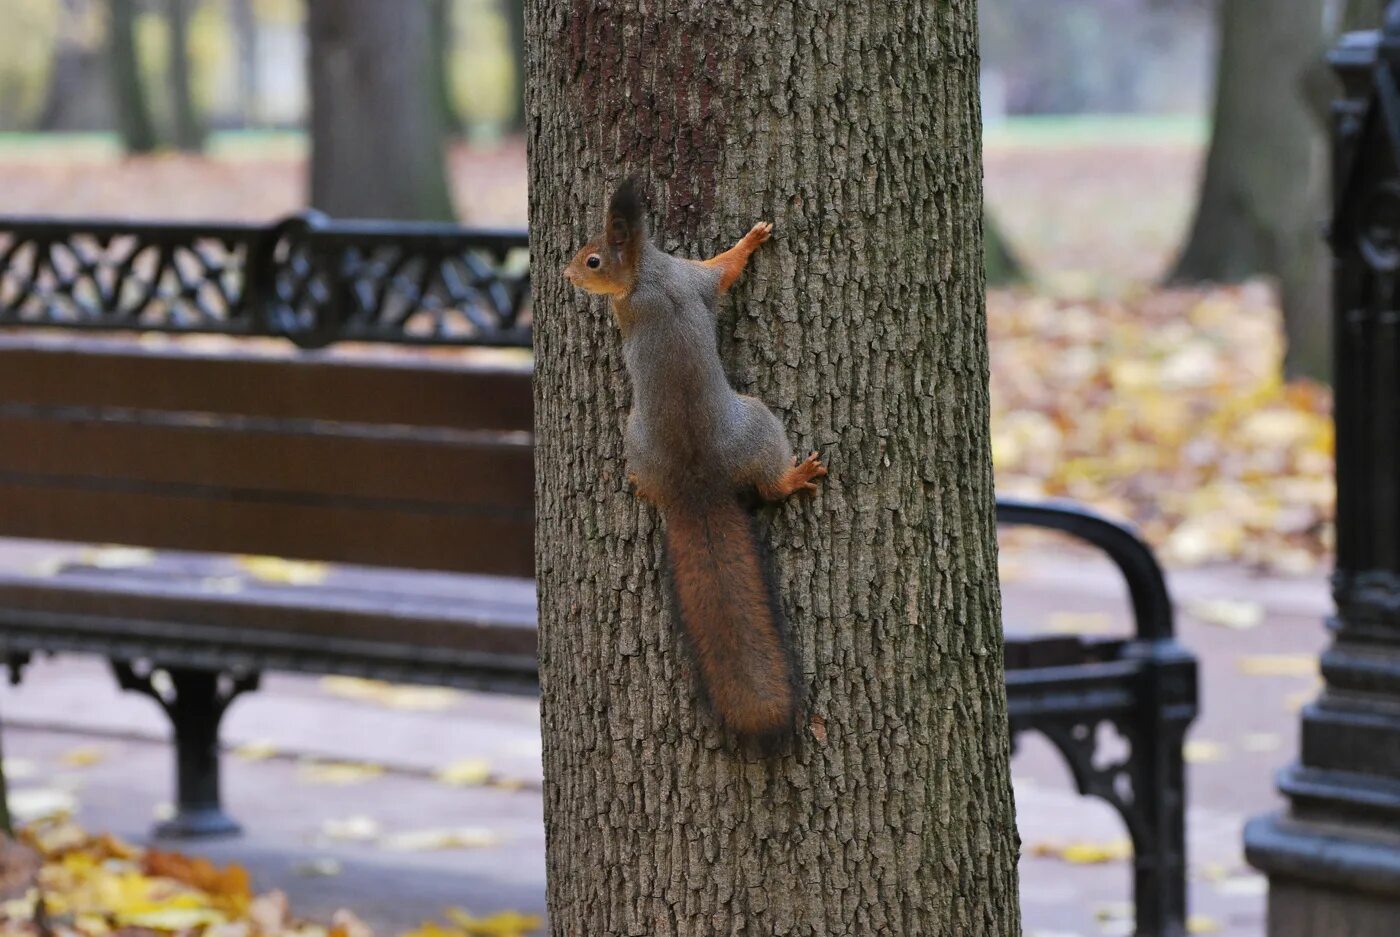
[1147, 586]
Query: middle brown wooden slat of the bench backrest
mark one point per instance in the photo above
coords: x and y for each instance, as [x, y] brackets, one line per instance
[330, 463]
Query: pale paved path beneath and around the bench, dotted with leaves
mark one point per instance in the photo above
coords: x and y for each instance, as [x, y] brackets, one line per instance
[1247, 733]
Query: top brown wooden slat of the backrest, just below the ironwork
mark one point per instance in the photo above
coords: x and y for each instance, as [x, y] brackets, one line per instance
[391, 390]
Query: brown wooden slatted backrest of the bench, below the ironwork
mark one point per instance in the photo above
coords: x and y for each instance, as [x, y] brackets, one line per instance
[387, 460]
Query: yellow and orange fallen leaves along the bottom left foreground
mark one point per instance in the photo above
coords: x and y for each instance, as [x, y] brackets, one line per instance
[101, 887]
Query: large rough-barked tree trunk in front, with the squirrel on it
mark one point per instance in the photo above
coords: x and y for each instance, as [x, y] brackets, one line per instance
[856, 130]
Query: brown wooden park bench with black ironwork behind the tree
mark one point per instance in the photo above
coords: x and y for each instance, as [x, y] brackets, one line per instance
[282, 419]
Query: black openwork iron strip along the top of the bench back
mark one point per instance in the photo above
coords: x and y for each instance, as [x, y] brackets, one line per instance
[306, 278]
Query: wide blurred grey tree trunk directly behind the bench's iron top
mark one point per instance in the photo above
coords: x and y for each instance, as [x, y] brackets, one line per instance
[377, 138]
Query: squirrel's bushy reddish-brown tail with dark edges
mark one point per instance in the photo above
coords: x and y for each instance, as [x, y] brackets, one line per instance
[731, 618]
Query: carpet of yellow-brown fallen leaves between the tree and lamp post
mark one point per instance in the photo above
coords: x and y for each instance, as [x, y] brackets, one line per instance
[1165, 410]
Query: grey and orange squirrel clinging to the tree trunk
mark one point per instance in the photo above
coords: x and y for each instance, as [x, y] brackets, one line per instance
[696, 449]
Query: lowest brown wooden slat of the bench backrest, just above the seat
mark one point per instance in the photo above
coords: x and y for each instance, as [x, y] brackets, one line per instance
[372, 534]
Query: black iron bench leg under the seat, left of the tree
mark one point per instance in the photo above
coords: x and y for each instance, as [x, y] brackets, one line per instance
[195, 701]
